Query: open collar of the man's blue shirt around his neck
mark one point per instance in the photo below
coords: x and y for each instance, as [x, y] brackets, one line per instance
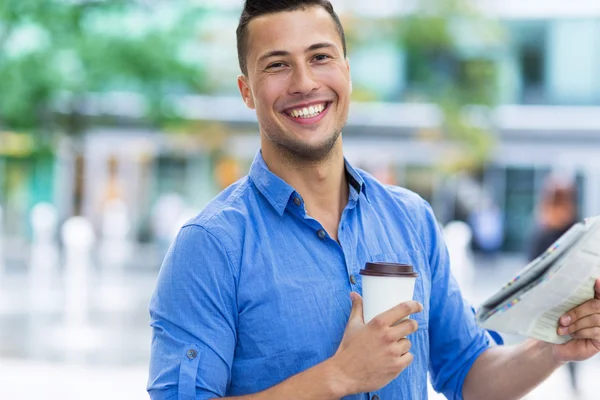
[278, 192]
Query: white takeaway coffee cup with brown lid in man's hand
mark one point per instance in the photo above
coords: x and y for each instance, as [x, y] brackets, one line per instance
[385, 285]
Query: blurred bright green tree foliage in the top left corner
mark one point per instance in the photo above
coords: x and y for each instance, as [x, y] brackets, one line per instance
[54, 53]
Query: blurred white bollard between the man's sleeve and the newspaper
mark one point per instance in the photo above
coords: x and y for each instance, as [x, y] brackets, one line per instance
[458, 236]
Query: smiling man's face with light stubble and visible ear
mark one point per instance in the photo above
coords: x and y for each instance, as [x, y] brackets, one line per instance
[298, 82]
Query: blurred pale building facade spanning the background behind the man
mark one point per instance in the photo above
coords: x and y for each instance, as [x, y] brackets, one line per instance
[547, 119]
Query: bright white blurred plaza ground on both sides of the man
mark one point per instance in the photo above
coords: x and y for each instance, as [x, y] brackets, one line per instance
[82, 333]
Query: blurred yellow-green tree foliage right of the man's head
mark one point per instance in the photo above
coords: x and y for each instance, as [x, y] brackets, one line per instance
[441, 69]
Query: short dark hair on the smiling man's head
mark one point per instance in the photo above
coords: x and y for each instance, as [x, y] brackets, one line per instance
[257, 8]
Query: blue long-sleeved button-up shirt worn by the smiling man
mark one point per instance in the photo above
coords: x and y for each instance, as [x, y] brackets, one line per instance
[253, 291]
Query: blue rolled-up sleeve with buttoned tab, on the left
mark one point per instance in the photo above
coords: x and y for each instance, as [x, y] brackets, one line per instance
[193, 315]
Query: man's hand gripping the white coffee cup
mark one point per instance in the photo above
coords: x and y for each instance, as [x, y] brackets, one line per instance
[373, 354]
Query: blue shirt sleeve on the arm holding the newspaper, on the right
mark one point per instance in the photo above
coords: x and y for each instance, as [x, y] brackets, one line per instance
[455, 339]
